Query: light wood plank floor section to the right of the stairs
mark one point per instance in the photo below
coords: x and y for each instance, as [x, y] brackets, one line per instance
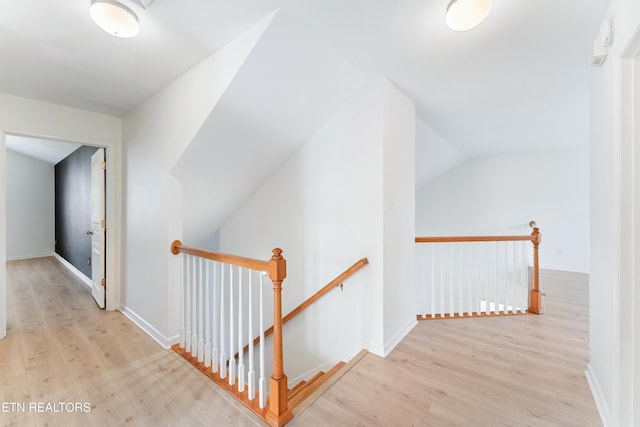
[496, 371]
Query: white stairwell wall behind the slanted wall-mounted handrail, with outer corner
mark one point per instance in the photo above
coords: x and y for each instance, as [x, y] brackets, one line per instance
[326, 209]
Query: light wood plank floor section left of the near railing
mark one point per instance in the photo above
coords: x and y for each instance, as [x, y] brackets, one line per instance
[61, 347]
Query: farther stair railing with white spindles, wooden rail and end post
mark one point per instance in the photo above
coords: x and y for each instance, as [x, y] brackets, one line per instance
[478, 275]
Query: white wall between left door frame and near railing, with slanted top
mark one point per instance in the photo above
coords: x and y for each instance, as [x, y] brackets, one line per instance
[155, 135]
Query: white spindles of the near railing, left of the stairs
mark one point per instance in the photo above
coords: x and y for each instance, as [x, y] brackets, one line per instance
[205, 309]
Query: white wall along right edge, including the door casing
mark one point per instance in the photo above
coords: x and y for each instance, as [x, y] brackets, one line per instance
[614, 322]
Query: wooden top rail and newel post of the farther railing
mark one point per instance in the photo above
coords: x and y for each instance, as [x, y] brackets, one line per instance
[535, 297]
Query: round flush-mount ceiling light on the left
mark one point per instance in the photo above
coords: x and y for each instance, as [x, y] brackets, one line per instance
[114, 18]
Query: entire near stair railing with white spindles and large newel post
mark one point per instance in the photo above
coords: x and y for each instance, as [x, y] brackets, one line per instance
[208, 325]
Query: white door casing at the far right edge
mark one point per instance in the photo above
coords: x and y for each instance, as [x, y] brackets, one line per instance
[626, 381]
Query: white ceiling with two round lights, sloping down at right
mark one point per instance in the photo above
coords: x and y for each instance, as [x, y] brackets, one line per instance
[518, 82]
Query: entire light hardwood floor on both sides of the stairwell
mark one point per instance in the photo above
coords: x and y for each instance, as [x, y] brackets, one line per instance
[515, 371]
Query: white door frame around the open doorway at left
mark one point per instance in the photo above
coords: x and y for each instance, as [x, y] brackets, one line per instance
[114, 206]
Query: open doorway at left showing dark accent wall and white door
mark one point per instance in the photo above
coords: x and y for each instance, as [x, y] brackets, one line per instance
[51, 179]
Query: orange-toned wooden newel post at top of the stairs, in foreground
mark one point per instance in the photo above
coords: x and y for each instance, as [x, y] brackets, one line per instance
[278, 412]
